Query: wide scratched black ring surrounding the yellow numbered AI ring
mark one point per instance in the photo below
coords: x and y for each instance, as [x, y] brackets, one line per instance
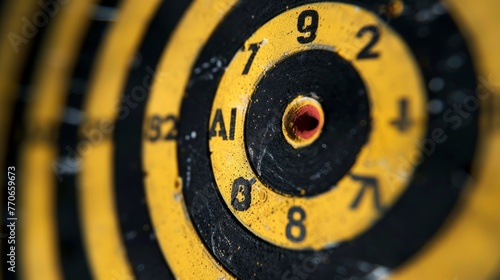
[413, 219]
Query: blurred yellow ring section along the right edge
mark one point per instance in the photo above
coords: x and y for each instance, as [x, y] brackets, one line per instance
[467, 245]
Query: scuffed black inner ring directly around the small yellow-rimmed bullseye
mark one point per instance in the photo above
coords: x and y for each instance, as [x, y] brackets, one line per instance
[317, 167]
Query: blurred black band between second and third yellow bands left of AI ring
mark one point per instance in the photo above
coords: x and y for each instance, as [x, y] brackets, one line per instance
[74, 262]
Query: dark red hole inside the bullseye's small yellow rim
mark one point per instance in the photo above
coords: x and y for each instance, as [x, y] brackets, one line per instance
[306, 121]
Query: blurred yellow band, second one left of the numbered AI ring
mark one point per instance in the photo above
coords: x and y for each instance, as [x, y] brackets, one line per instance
[102, 235]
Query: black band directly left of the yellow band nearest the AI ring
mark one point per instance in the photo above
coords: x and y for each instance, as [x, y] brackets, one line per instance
[141, 245]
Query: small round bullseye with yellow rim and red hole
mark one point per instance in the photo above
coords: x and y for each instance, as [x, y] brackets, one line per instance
[302, 121]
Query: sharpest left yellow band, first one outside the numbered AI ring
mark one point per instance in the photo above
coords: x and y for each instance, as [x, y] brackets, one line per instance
[187, 257]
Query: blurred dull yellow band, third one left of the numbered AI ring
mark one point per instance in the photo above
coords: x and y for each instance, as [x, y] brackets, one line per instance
[39, 252]
